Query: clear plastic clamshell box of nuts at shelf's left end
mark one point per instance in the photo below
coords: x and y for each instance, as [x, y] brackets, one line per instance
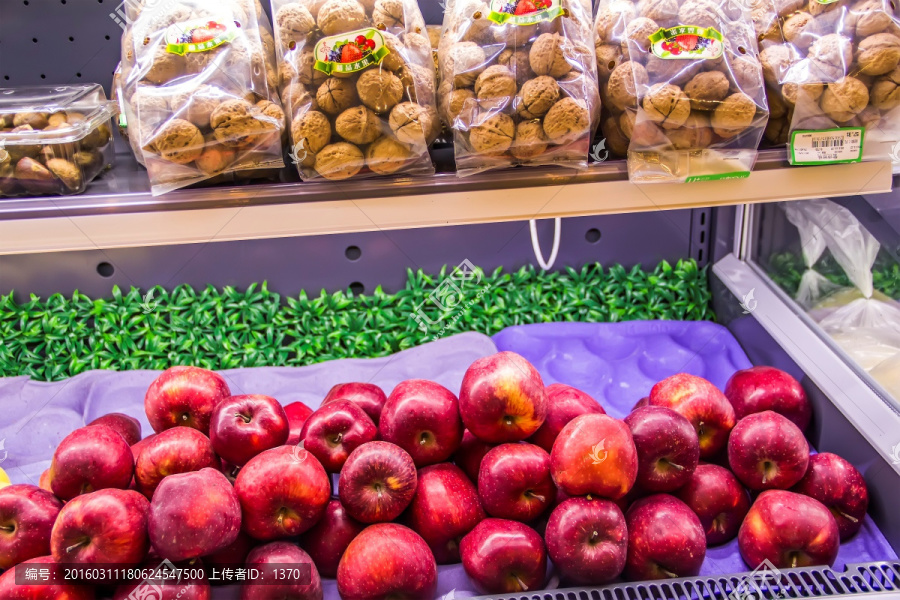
[53, 139]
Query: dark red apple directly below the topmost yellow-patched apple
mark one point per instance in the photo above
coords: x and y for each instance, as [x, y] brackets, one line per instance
[515, 483]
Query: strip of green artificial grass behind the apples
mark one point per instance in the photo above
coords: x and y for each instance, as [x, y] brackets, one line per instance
[60, 337]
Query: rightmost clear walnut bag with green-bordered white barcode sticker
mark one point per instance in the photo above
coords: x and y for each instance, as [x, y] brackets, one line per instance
[833, 79]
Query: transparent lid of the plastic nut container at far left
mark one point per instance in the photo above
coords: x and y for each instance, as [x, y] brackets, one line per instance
[85, 105]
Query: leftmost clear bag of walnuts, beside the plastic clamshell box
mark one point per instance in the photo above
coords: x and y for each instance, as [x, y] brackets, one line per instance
[200, 90]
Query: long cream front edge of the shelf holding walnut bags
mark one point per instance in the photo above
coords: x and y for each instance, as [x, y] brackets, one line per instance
[118, 211]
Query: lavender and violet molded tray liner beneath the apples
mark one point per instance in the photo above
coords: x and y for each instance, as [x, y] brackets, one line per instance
[617, 363]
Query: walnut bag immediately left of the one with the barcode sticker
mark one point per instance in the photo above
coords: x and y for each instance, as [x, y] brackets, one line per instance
[682, 86]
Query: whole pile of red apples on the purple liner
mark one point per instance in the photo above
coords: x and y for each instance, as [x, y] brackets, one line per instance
[504, 477]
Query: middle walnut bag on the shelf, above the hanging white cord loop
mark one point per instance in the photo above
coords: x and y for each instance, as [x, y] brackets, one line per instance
[518, 83]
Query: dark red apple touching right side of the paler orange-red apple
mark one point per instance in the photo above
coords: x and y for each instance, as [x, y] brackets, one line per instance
[667, 446]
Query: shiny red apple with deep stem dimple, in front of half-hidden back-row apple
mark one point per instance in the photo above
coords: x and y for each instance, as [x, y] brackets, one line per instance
[335, 430]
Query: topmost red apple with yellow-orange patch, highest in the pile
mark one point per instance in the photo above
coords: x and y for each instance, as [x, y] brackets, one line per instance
[502, 398]
